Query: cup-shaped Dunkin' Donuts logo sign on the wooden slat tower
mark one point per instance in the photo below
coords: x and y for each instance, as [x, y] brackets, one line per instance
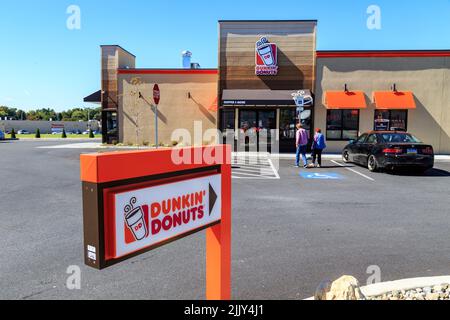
[266, 58]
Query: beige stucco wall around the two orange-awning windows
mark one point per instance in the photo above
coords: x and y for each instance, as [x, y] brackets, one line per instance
[427, 77]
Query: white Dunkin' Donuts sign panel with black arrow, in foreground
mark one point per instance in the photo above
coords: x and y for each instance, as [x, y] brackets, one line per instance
[153, 215]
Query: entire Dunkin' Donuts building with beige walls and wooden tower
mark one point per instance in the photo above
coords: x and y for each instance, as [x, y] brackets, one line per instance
[262, 66]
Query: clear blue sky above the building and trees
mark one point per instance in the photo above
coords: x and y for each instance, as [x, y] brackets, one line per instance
[44, 64]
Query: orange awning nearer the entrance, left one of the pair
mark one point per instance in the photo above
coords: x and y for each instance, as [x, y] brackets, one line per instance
[345, 100]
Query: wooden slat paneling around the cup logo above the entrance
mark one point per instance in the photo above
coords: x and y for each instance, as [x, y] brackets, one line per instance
[296, 41]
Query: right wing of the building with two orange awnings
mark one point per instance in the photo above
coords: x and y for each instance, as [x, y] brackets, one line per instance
[386, 90]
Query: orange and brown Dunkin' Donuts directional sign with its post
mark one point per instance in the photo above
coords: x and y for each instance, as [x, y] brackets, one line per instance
[134, 202]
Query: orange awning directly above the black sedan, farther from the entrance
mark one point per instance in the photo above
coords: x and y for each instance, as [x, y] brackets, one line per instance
[388, 100]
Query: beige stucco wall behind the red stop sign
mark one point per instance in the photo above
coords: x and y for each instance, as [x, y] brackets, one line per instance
[177, 110]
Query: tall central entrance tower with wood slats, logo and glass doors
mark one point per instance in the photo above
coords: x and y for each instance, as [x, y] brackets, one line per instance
[261, 65]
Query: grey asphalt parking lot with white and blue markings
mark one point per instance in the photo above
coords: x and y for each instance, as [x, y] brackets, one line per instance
[292, 229]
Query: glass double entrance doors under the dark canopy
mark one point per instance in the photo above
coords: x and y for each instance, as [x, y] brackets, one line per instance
[255, 129]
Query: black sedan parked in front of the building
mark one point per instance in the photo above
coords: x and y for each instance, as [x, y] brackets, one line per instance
[389, 150]
